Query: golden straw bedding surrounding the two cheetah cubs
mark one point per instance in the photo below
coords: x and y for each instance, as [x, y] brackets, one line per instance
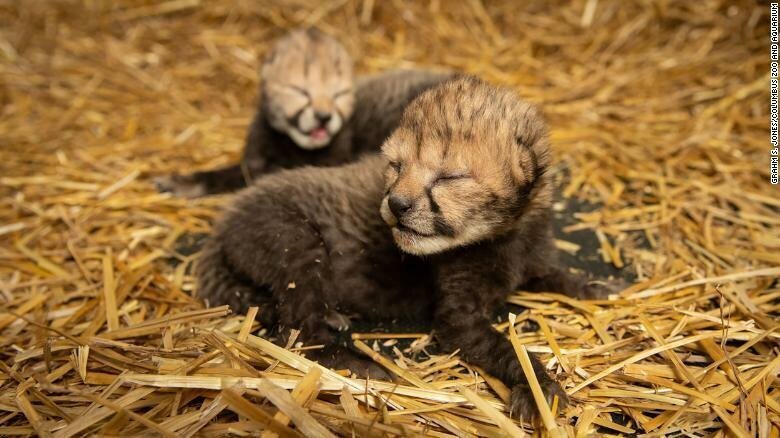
[659, 119]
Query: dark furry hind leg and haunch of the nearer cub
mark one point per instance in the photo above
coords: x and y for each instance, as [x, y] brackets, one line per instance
[275, 247]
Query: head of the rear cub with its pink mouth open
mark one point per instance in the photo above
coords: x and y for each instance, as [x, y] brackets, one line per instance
[308, 89]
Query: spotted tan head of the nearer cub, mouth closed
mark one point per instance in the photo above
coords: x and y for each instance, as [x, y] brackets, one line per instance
[467, 164]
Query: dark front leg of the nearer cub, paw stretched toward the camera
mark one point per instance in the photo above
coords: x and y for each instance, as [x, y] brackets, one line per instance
[470, 291]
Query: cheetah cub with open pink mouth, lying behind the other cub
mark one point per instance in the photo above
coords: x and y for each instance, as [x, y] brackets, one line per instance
[312, 111]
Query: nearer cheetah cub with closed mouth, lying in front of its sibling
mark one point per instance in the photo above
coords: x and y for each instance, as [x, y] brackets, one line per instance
[453, 216]
